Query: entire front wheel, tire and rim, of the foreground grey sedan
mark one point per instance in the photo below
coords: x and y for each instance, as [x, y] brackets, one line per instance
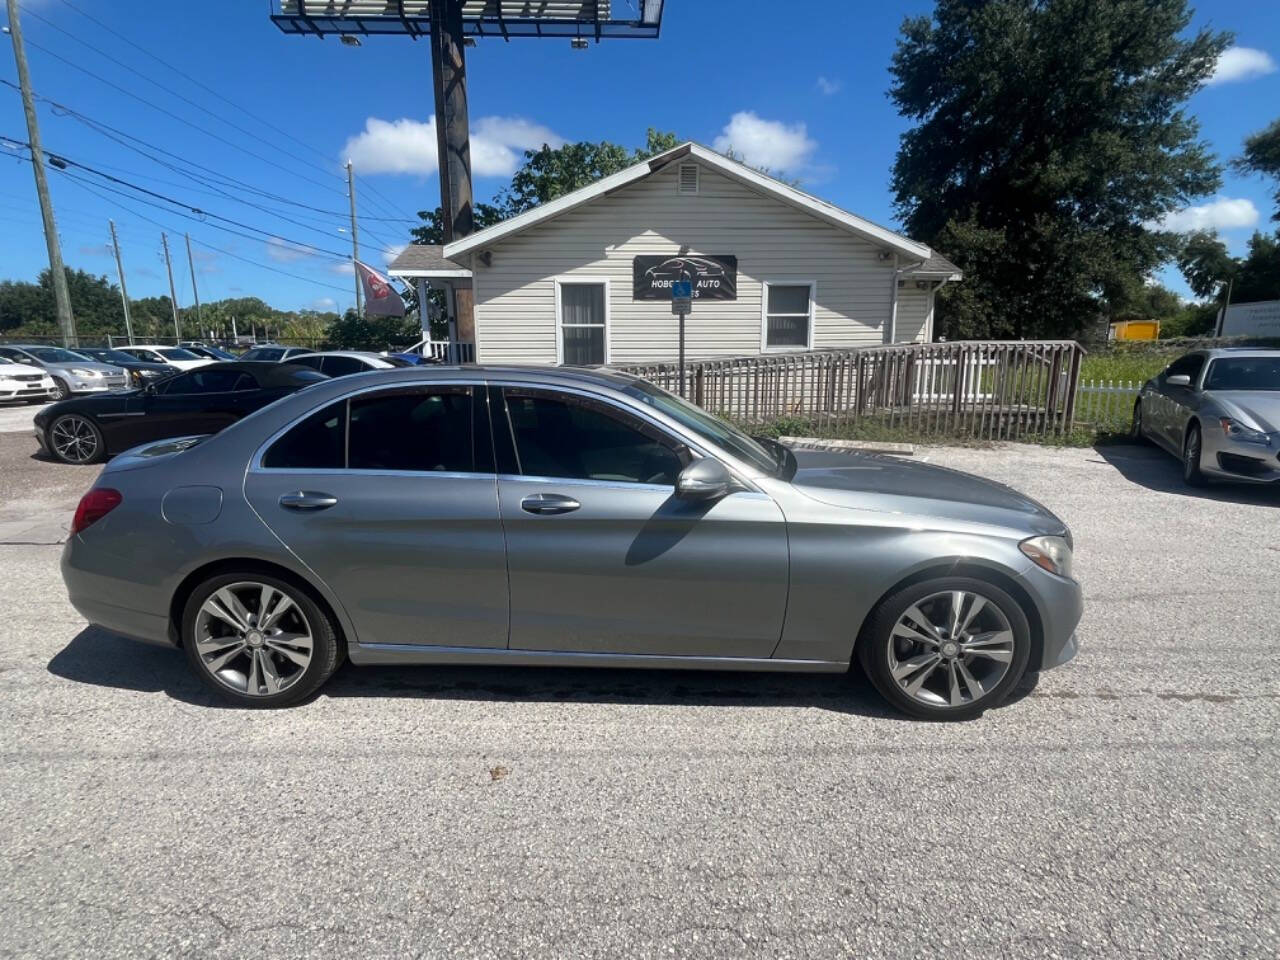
[948, 648]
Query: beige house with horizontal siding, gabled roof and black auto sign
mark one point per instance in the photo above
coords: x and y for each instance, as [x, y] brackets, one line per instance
[587, 278]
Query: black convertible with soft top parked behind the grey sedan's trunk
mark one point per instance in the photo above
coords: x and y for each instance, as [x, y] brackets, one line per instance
[202, 401]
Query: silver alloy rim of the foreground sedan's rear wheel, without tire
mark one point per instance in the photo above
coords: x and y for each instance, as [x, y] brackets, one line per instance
[254, 638]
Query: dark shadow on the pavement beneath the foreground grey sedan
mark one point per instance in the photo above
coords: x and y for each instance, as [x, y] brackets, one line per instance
[102, 659]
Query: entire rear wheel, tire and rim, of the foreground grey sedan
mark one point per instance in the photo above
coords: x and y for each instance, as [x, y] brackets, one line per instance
[258, 641]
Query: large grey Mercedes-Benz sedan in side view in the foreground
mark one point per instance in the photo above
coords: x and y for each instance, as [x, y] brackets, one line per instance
[557, 516]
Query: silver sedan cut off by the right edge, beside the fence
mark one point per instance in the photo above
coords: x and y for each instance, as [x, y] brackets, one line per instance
[1219, 413]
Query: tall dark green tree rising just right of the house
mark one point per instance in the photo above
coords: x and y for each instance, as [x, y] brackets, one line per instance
[1049, 136]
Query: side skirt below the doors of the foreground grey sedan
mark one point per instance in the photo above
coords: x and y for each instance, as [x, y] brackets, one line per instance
[478, 656]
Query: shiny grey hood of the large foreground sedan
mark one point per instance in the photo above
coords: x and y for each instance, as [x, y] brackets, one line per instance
[897, 486]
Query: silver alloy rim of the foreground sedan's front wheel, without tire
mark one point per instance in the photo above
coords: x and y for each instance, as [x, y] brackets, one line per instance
[950, 650]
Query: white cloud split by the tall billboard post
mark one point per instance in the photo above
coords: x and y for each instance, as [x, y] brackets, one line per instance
[409, 147]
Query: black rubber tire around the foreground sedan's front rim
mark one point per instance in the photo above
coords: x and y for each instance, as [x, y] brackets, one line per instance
[877, 637]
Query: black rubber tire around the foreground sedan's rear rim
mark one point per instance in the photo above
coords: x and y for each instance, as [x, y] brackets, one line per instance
[327, 653]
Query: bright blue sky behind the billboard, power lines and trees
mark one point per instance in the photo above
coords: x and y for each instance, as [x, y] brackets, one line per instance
[280, 115]
